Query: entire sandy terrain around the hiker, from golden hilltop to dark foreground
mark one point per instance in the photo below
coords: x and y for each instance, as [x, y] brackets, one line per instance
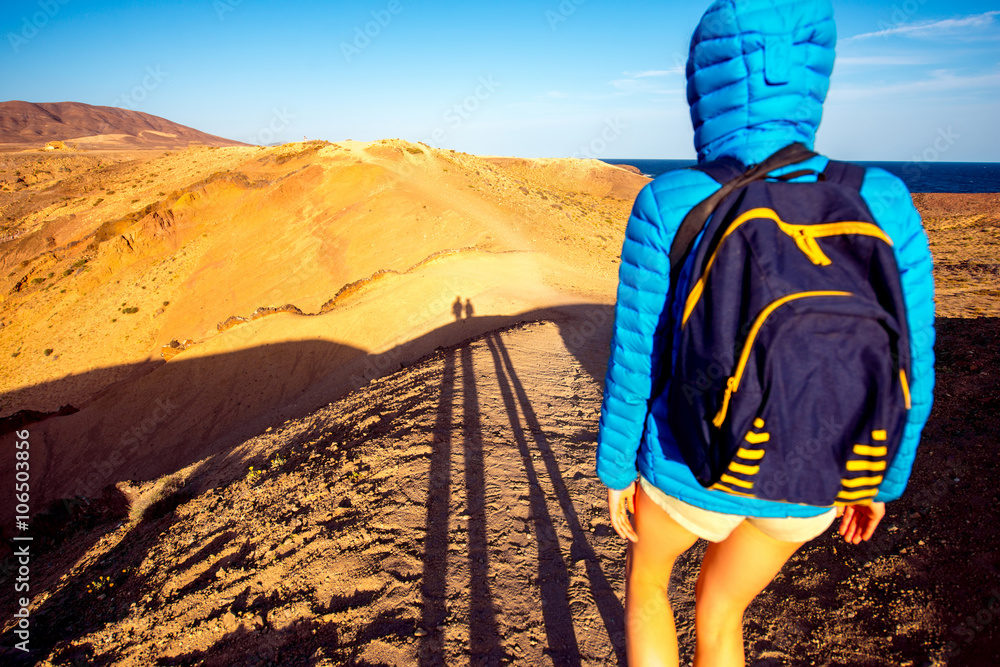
[336, 404]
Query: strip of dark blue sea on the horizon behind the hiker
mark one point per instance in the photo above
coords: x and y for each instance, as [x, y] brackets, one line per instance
[918, 176]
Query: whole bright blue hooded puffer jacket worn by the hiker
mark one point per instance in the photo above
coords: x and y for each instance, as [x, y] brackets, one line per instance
[758, 72]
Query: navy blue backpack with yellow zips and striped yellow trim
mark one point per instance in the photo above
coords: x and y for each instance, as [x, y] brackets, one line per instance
[790, 353]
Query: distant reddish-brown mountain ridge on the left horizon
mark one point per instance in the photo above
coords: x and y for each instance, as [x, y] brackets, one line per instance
[91, 126]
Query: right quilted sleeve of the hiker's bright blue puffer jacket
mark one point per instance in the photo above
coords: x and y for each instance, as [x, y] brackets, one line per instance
[892, 206]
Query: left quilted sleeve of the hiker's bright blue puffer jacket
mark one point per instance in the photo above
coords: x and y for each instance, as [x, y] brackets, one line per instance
[643, 287]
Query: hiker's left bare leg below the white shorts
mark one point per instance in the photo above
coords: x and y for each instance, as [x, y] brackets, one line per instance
[650, 633]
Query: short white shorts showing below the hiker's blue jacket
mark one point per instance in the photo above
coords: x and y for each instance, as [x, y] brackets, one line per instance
[716, 526]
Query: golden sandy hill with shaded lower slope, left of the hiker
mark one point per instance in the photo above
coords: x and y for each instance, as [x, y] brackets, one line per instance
[273, 280]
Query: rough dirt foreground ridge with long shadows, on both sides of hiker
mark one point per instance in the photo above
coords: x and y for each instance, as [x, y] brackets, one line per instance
[448, 514]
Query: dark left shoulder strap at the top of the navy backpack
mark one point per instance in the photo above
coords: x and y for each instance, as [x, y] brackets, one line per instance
[696, 217]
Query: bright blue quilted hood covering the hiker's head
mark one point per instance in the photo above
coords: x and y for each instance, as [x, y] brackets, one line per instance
[757, 74]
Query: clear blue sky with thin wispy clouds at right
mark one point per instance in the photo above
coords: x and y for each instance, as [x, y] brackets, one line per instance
[530, 78]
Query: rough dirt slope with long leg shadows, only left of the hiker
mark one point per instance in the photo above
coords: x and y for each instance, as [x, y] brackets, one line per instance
[447, 513]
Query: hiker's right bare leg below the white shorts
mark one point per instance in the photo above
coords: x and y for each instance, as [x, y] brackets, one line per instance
[733, 572]
